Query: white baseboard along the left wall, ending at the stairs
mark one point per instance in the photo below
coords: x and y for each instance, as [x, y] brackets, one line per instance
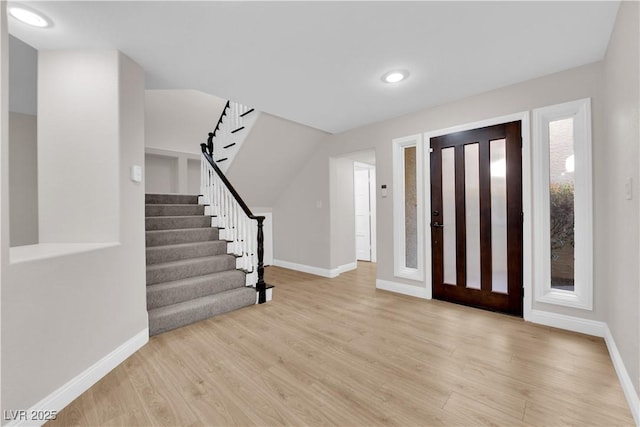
[66, 394]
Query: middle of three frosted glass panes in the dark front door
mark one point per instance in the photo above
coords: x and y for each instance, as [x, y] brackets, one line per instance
[472, 208]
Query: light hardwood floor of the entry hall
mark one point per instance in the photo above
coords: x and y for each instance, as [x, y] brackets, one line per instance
[340, 352]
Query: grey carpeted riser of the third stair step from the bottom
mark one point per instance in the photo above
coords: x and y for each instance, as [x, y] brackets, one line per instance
[167, 273]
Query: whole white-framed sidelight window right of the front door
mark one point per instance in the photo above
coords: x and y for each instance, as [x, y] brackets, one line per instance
[563, 212]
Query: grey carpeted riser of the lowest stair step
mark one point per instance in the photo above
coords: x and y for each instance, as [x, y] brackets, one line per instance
[218, 304]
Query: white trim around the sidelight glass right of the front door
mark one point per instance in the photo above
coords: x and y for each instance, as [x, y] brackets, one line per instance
[582, 295]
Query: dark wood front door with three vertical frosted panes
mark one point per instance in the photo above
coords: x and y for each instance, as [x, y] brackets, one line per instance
[476, 217]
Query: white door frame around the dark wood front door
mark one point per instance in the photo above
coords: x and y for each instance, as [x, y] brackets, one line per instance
[527, 193]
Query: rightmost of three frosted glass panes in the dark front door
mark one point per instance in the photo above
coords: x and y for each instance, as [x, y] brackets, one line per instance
[497, 150]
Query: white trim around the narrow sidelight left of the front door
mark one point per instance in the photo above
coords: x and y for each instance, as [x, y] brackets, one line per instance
[400, 260]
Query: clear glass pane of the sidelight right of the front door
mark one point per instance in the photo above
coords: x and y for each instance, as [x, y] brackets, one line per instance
[561, 203]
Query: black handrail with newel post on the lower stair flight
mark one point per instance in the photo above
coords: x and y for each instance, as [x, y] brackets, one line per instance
[260, 283]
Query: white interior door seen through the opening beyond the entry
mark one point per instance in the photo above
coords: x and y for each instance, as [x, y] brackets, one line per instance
[363, 213]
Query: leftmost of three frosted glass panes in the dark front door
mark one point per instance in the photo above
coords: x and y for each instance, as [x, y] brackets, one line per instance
[449, 215]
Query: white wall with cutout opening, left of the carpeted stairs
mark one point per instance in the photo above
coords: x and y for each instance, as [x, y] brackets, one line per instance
[64, 313]
